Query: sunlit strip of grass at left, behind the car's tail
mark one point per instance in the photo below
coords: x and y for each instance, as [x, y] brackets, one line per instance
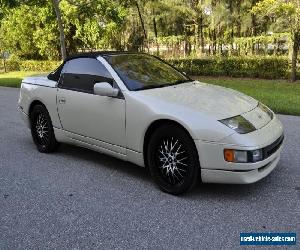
[13, 79]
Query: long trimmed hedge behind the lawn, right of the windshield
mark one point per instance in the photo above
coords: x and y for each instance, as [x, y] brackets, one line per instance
[260, 67]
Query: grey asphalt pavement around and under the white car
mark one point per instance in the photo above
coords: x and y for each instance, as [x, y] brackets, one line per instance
[77, 198]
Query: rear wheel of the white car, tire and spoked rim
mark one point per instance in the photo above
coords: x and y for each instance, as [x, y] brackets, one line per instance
[42, 130]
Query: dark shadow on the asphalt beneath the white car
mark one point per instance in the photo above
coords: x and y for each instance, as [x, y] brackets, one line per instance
[227, 191]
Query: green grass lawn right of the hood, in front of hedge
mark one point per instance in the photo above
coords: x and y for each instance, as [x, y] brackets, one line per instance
[280, 95]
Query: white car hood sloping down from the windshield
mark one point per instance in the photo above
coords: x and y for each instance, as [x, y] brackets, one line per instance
[215, 101]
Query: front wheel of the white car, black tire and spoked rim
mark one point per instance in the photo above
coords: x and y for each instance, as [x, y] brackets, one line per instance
[172, 159]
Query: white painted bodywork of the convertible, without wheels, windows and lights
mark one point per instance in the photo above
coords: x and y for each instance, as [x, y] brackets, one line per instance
[118, 126]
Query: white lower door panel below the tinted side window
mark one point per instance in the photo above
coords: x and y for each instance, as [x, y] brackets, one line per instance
[92, 116]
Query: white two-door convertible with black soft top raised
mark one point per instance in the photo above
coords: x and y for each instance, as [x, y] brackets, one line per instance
[140, 109]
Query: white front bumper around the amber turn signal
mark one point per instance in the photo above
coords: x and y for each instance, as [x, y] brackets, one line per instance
[214, 169]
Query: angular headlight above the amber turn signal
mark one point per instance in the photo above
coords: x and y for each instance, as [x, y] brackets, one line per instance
[239, 124]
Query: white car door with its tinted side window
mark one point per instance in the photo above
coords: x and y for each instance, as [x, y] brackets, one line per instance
[89, 118]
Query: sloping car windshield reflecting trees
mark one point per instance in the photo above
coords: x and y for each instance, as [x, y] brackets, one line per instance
[142, 71]
